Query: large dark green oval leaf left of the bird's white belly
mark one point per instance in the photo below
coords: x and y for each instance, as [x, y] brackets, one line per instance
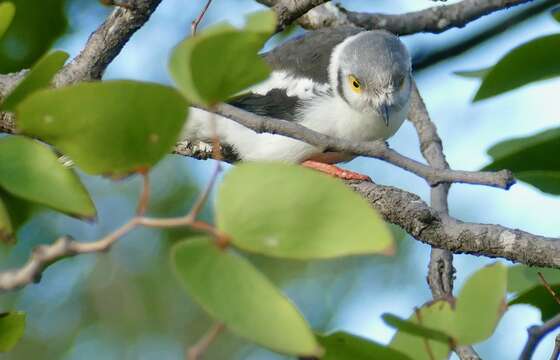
[110, 127]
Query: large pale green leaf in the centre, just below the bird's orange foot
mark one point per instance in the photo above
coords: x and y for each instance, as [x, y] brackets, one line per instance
[292, 212]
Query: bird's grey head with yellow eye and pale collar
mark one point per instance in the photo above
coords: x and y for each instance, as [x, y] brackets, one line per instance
[371, 71]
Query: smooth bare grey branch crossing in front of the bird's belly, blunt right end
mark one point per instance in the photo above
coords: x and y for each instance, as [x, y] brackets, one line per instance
[376, 149]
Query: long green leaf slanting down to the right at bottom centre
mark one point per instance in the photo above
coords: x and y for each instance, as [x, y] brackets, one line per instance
[230, 289]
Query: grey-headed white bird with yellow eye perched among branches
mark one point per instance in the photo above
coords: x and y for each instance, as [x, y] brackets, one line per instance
[344, 82]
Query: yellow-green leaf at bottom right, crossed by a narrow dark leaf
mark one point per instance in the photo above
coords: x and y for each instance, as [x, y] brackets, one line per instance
[438, 316]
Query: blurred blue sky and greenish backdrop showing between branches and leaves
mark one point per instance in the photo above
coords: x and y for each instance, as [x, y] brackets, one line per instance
[348, 294]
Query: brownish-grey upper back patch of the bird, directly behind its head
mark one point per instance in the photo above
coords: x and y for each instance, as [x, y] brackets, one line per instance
[309, 55]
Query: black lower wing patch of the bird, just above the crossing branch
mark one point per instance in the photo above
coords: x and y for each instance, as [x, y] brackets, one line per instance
[276, 103]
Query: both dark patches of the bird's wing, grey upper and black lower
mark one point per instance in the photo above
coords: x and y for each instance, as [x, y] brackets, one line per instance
[305, 56]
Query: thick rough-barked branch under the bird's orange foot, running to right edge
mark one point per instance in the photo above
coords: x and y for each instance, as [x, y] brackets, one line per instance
[427, 225]
